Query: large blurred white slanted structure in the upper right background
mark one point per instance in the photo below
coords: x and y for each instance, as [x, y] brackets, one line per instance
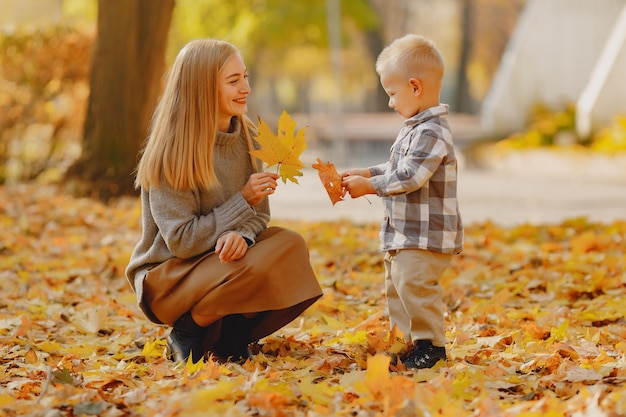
[562, 51]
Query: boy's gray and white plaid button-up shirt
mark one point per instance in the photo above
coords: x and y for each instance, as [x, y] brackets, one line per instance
[418, 187]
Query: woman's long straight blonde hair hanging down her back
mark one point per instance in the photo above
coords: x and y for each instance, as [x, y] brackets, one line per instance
[179, 149]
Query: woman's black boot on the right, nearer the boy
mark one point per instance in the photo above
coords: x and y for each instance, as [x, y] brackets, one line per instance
[233, 344]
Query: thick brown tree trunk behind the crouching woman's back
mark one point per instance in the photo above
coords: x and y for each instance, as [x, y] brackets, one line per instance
[127, 67]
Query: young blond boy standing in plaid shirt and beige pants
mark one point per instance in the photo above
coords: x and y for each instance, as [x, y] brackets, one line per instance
[422, 227]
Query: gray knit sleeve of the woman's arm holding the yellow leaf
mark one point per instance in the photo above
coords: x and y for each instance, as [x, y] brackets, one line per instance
[188, 233]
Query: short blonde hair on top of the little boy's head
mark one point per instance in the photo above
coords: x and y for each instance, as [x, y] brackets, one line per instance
[412, 55]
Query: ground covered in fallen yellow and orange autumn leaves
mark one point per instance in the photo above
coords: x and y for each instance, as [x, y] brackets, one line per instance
[535, 326]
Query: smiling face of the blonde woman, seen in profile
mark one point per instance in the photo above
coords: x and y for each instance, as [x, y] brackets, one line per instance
[232, 93]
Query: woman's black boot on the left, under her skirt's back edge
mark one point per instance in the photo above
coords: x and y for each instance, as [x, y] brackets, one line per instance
[185, 339]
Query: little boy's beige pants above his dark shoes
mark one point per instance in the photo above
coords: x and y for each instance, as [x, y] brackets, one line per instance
[414, 295]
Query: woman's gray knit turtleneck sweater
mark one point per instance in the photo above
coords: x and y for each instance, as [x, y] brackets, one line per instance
[184, 224]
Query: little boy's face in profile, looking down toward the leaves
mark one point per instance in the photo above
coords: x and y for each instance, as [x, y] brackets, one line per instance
[404, 93]
